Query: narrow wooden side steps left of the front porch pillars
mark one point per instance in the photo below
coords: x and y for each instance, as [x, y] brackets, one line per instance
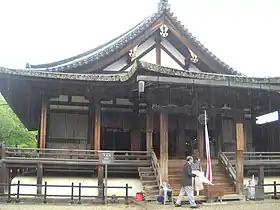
[149, 182]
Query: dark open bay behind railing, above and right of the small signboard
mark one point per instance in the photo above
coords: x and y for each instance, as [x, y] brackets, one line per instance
[115, 139]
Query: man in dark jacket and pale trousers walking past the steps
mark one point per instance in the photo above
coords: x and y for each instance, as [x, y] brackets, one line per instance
[186, 182]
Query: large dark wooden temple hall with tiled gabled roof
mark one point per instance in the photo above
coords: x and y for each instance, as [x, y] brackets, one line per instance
[145, 92]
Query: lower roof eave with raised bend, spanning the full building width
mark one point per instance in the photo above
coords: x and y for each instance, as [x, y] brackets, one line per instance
[269, 83]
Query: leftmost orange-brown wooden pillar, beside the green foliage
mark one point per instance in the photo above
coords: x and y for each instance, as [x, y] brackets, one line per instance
[43, 124]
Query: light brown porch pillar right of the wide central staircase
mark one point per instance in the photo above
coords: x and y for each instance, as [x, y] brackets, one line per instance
[239, 157]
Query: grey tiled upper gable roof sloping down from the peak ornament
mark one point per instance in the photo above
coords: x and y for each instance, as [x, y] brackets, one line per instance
[123, 40]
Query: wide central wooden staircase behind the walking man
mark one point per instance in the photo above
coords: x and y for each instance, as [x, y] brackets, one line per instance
[220, 176]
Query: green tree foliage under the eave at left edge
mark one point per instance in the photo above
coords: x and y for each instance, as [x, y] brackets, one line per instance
[12, 131]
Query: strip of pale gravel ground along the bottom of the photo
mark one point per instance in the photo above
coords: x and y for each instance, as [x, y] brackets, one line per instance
[267, 205]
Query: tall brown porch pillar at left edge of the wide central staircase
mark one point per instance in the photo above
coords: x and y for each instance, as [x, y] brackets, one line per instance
[164, 145]
